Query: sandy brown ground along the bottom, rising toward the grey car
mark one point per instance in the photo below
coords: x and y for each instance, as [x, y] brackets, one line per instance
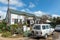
[56, 36]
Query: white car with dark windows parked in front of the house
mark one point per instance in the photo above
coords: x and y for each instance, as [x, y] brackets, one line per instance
[42, 30]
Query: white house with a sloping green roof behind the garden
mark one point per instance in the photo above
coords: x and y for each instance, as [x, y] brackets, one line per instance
[15, 16]
